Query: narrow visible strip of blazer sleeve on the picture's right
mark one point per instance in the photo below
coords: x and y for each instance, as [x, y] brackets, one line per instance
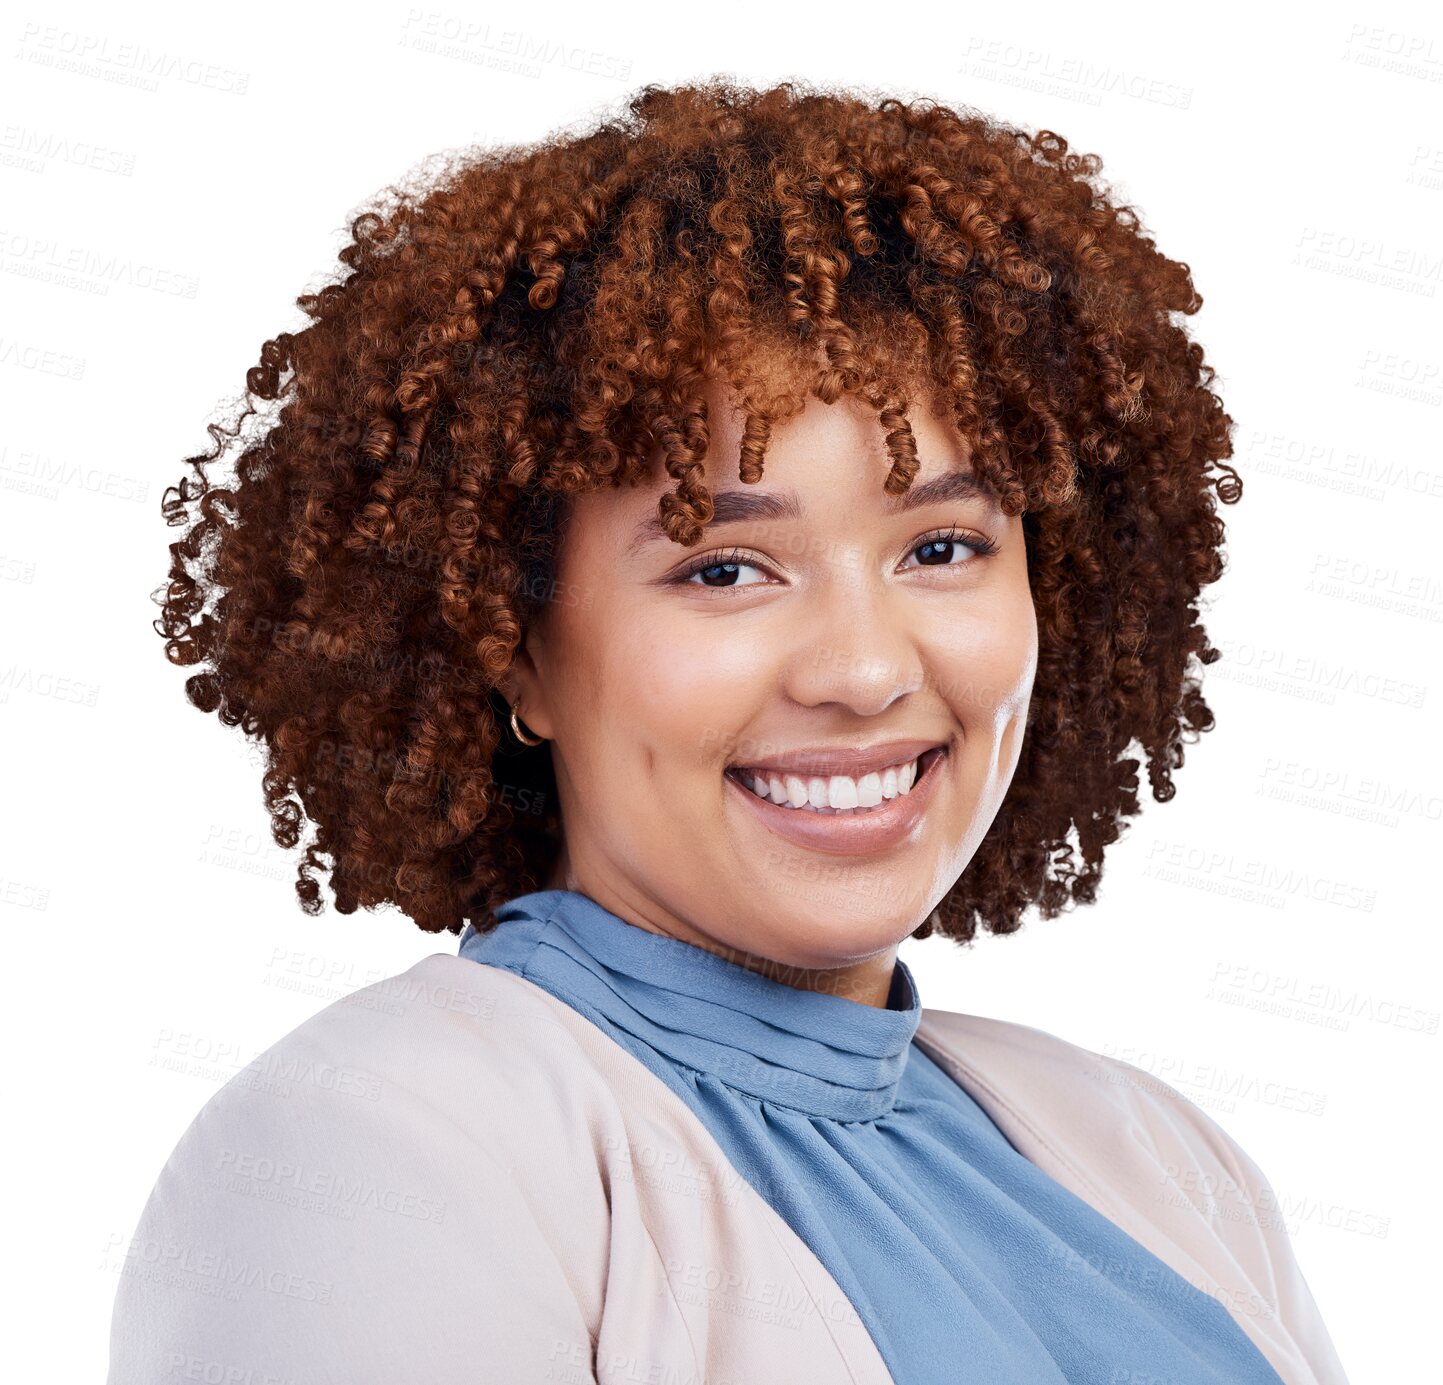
[1246, 1205]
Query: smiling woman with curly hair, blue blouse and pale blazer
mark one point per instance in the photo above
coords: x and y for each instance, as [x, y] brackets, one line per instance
[690, 559]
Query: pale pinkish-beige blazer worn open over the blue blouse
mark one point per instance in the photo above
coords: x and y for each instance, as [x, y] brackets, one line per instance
[454, 1178]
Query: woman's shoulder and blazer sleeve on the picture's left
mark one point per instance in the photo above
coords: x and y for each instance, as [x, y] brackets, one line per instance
[399, 1152]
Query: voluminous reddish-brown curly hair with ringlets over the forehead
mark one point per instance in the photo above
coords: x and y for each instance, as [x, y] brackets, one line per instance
[539, 321]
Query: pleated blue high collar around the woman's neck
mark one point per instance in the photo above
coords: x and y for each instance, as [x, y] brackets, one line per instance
[825, 1055]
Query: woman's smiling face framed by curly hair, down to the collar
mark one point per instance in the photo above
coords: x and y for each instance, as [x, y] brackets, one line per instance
[828, 621]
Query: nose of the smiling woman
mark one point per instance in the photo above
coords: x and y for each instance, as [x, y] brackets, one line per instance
[856, 646]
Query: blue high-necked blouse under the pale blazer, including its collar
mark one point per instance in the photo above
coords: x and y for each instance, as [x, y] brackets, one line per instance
[950, 1244]
